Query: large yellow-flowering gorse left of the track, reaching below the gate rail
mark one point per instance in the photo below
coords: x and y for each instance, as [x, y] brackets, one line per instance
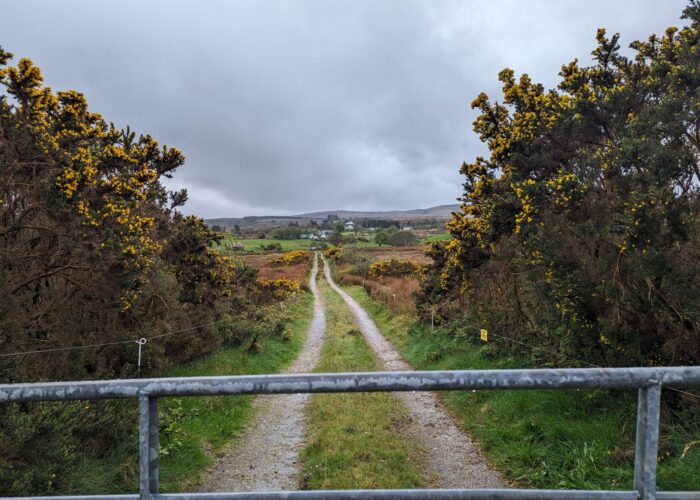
[93, 251]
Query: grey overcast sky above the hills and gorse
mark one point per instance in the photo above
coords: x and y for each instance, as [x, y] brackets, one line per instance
[289, 106]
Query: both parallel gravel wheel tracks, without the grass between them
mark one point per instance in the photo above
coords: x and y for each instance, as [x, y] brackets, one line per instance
[266, 458]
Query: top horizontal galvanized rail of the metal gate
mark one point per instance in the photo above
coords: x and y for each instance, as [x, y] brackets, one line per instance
[582, 378]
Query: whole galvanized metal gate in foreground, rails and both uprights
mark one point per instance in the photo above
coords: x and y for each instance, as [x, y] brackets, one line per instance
[648, 382]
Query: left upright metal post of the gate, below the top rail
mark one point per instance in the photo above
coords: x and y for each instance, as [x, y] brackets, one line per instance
[148, 446]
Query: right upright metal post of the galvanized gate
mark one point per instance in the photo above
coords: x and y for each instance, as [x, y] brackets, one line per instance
[646, 446]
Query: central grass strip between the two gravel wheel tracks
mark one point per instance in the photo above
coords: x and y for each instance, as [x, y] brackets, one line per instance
[355, 440]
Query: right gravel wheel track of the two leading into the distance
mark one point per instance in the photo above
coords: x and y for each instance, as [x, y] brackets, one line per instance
[453, 458]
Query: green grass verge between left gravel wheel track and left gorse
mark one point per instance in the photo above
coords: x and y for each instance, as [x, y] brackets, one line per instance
[194, 427]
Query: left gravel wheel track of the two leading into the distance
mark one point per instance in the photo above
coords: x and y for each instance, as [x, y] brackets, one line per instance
[266, 458]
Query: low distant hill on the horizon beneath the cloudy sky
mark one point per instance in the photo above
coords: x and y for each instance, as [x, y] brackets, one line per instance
[440, 212]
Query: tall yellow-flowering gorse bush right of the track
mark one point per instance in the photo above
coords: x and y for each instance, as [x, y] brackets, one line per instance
[580, 232]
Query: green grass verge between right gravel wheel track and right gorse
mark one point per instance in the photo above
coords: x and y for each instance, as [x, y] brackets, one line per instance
[545, 439]
